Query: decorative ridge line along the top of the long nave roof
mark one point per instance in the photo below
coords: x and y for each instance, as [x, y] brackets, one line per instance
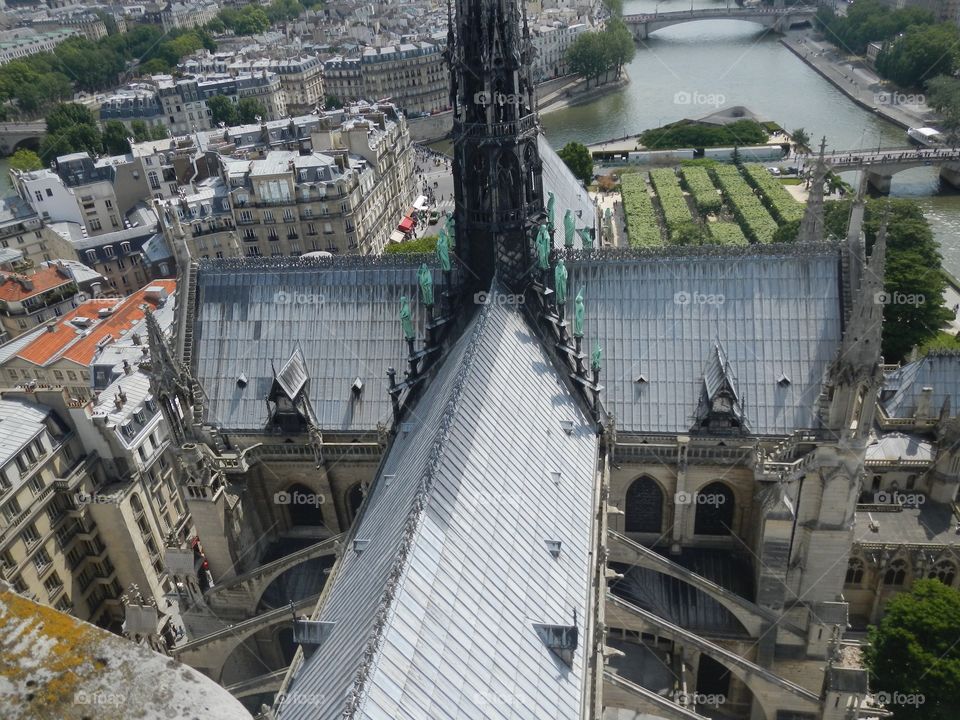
[355, 697]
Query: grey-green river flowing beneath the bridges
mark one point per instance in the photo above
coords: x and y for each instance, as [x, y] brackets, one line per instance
[688, 71]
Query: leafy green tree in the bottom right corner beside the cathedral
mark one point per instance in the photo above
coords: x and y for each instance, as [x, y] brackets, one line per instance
[914, 656]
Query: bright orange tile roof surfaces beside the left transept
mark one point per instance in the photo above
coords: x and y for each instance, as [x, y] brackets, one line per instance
[66, 342]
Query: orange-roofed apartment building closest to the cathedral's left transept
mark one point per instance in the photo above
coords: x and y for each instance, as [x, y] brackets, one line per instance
[85, 350]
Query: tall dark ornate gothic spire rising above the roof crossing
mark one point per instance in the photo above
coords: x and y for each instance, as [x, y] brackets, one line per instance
[497, 176]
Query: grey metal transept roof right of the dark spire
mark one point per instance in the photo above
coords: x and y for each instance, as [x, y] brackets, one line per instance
[775, 311]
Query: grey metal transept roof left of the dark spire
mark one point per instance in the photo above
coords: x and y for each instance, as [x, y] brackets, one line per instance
[330, 320]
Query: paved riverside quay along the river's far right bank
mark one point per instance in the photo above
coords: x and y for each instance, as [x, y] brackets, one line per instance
[859, 83]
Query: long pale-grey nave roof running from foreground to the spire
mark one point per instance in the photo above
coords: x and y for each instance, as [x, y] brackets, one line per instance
[474, 546]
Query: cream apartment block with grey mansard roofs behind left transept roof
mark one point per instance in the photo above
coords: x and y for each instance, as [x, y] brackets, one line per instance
[342, 190]
